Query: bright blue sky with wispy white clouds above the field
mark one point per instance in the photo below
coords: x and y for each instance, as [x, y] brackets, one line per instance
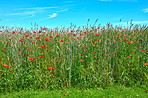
[52, 13]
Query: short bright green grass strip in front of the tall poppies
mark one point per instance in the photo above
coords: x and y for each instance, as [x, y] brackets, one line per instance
[110, 92]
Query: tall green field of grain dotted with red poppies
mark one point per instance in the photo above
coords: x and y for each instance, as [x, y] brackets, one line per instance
[91, 57]
